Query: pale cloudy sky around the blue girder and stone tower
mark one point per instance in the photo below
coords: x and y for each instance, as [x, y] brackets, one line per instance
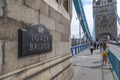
[87, 4]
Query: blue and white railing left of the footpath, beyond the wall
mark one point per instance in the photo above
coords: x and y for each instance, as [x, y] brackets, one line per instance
[77, 49]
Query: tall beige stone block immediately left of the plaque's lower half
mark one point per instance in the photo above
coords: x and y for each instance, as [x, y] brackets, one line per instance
[10, 56]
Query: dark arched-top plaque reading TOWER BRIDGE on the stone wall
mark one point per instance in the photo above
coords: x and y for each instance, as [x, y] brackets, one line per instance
[35, 39]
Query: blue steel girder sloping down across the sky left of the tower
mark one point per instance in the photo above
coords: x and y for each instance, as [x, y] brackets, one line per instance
[80, 13]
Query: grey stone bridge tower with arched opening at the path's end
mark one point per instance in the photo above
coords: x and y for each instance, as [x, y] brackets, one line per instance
[105, 20]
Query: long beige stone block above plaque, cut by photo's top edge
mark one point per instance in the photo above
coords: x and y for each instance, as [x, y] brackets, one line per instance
[38, 5]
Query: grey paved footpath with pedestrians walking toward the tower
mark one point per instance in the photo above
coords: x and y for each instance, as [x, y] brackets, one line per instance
[89, 67]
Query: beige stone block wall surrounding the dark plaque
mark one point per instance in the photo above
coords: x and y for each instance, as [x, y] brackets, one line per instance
[55, 65]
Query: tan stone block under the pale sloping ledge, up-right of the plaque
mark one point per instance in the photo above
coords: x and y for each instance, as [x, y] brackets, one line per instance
[54, 14]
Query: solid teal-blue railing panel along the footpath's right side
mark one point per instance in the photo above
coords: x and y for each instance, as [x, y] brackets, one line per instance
[115, 62]
